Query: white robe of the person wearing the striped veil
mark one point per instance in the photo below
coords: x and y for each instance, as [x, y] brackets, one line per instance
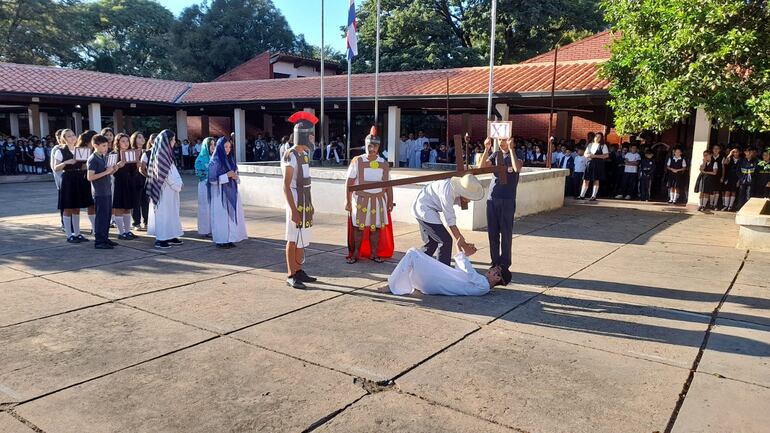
[163, 221]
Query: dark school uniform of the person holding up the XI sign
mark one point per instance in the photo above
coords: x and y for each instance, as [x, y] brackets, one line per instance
[501, 207]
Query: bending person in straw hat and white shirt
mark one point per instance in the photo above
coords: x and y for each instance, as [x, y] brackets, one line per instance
[440, 197]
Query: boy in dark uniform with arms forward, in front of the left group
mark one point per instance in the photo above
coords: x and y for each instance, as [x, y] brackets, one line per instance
[101, 185]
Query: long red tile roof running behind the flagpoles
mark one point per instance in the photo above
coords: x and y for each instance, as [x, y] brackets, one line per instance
[509, 79]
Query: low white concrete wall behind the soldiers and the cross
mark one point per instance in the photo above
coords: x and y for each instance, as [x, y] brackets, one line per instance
[539, 190]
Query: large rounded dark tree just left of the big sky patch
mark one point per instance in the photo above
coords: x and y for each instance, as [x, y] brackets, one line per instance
[210, 40]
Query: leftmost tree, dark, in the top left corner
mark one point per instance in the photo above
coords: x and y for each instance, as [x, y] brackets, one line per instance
[41, 32]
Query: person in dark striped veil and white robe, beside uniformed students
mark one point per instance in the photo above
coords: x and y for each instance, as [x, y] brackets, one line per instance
[163, 186]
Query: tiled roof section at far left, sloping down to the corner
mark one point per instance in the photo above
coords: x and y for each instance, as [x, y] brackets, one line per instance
[46, 80]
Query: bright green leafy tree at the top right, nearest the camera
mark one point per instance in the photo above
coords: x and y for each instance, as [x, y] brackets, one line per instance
[678, 55]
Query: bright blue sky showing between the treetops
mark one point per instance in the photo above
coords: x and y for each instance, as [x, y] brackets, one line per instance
[304, 16]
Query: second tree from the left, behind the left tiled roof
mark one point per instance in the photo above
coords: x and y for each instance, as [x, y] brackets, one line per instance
[131, 37]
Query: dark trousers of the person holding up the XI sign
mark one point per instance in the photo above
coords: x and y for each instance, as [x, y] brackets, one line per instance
[500, 230]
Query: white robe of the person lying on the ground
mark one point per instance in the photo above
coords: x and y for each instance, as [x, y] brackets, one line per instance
[419, 271]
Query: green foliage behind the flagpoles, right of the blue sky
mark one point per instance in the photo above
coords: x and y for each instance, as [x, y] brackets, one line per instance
[435, 34]
